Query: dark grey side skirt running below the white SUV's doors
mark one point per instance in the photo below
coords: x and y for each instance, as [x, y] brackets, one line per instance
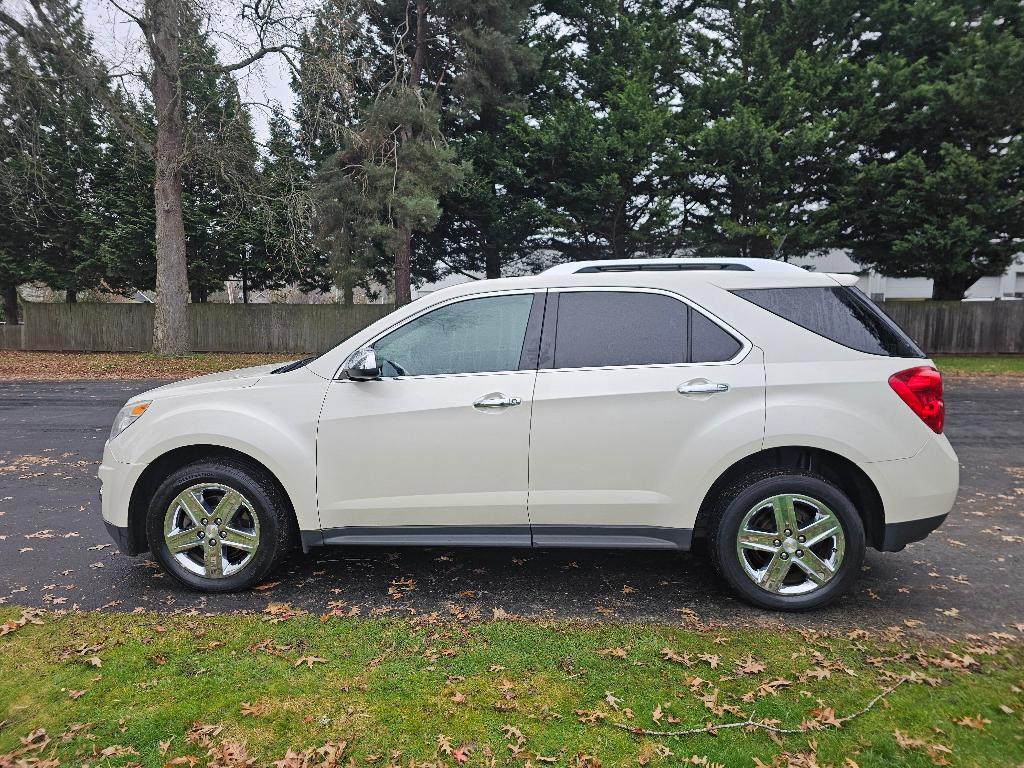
[585, 537]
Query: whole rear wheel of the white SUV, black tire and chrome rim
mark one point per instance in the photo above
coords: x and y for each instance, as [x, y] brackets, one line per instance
[816, 572]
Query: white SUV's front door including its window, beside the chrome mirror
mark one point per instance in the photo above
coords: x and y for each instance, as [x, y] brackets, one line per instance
[436, 451]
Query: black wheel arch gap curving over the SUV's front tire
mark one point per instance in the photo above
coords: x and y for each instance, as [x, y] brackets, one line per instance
[174, 460]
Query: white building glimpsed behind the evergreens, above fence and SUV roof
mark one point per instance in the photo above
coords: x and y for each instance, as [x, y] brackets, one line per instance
[1008, 286]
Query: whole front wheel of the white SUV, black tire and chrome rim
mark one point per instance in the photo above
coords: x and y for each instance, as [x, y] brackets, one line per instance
[251, 542]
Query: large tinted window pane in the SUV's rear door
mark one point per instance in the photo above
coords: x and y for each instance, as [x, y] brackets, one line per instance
[612, 328]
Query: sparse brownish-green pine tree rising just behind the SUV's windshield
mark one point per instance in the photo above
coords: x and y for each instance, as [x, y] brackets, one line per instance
[395, 153]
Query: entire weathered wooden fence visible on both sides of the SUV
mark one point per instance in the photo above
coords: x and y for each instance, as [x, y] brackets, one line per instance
[940, 327]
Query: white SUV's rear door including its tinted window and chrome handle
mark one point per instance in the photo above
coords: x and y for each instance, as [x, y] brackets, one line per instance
[641, 398]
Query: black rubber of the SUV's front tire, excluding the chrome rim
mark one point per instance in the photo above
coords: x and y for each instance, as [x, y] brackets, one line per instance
[264, 508]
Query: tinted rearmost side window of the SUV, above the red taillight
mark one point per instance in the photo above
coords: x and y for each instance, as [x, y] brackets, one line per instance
[842, 315]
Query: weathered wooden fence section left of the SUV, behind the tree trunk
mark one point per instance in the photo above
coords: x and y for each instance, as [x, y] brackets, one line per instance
[215, 328]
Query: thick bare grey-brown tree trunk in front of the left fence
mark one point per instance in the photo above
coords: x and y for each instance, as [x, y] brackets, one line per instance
[170, 328]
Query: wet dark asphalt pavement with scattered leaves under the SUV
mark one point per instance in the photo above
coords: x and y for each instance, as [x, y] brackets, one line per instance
[55, 551]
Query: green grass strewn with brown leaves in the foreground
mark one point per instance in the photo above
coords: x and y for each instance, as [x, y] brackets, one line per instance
[399, 693]
